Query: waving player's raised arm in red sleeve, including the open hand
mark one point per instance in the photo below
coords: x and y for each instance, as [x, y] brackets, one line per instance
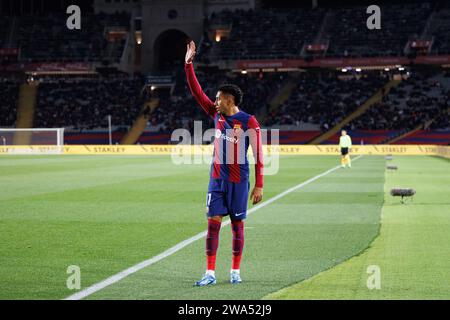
[195, 87]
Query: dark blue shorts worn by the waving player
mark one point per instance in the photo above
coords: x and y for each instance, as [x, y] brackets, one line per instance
[227, 198]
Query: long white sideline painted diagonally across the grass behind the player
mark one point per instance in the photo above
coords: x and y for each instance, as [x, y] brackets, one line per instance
[119, 276]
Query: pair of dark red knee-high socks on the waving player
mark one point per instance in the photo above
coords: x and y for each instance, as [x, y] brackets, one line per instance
[212, 243]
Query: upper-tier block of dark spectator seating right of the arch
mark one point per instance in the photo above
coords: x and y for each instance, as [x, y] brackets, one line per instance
[281, 33]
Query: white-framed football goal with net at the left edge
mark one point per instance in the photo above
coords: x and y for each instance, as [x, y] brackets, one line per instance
[33, 140]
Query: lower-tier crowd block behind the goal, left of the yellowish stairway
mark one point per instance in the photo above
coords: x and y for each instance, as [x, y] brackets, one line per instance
[85, 103]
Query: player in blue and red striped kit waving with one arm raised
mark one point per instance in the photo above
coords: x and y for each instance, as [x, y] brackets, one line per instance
[229, 178]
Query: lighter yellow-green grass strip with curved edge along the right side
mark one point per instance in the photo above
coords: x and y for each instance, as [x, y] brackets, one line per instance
[412, 250]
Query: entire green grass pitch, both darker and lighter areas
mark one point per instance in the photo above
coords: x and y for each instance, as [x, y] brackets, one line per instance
[107, 213]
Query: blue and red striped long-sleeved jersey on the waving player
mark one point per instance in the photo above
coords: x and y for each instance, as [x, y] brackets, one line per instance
[233, 136]
